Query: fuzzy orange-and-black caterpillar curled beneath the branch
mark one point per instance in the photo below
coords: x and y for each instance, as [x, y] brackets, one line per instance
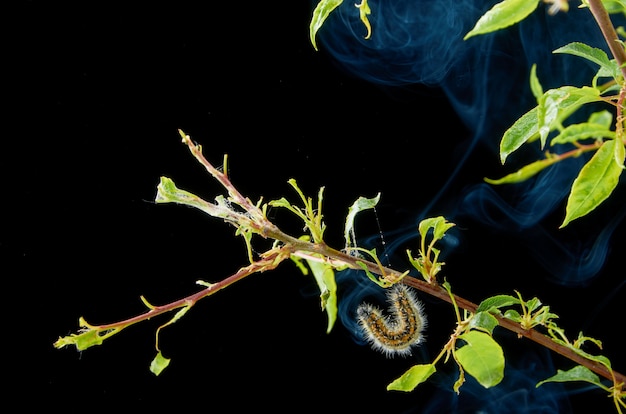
[398, 332]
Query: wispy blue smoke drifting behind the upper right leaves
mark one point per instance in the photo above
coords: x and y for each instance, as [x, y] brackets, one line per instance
[486, 80]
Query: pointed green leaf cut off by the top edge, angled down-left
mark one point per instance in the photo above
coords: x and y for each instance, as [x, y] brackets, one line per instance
[503, 14]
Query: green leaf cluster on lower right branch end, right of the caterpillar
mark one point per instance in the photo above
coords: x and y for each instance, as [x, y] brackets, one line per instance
[476, 352]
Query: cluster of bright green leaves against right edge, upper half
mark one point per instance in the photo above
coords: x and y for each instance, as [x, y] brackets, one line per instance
[600, 175]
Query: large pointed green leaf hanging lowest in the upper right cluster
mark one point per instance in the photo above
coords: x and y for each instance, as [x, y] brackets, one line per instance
[596, 181]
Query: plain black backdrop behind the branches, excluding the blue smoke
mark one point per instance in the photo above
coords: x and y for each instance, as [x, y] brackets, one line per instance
[101, 91]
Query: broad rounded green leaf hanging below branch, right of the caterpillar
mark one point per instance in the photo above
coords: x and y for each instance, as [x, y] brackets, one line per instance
[482, 358]
